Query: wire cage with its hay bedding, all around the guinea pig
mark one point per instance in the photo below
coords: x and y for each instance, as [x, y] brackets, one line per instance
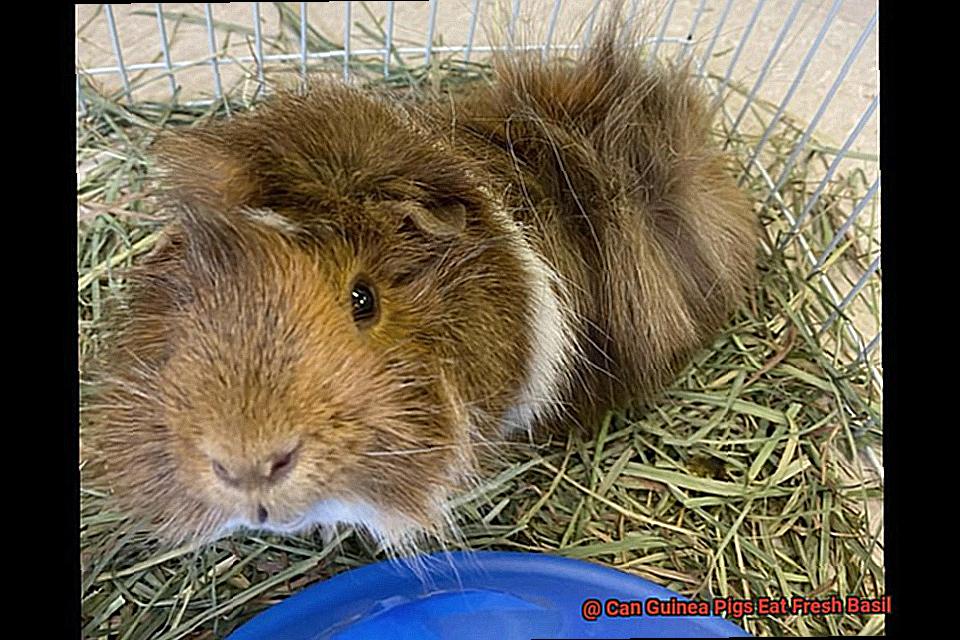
[759, 473]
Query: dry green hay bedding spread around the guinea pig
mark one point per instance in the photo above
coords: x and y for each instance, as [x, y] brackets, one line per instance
[744, 480]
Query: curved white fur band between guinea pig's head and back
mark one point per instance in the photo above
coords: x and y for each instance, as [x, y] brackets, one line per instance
[553, 343]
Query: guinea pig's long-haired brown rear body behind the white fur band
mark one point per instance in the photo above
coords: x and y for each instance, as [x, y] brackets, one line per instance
[609, 164]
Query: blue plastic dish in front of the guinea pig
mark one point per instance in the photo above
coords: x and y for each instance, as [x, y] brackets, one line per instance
[477, 595]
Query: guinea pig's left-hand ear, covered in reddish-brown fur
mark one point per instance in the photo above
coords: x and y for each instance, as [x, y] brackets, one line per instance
[198, 166]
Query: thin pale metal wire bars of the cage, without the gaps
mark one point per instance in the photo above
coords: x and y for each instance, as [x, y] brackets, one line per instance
[862, 349]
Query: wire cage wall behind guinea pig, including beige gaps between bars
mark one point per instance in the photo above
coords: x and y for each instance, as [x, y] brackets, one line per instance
[810, 63]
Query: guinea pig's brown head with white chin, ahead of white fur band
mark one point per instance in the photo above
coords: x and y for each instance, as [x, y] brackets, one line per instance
[295, 359]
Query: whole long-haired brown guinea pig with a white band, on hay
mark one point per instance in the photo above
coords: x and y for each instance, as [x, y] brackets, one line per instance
[357, 296]
